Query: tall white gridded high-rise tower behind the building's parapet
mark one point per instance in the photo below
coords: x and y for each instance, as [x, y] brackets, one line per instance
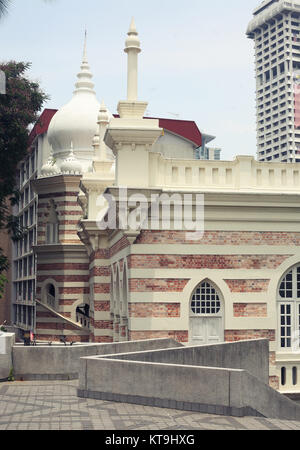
[275, 29]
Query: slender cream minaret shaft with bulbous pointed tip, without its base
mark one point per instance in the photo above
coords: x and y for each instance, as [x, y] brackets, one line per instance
[132, 48]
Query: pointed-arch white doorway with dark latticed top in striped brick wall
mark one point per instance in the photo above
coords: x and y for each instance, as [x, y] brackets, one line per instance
[206, 315]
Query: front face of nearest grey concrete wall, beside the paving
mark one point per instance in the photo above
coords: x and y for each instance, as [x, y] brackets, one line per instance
[209, 390]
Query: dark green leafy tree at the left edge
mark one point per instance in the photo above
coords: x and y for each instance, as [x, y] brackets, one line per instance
[19, 108]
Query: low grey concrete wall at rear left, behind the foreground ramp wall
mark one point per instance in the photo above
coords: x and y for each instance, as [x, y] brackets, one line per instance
[62, 362]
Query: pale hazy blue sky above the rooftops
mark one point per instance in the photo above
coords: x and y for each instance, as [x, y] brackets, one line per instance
[196, 62]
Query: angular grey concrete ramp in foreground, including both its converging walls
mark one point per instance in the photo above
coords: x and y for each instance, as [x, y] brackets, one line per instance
[191, 379]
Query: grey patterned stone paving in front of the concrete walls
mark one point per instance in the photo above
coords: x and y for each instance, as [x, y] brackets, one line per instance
[53, 405]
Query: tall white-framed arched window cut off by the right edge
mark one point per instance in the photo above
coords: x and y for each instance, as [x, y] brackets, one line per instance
[289, 310]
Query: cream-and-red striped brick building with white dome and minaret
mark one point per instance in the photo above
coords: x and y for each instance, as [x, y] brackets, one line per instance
[105, 272]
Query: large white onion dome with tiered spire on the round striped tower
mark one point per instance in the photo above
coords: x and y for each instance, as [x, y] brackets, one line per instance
[77, 120]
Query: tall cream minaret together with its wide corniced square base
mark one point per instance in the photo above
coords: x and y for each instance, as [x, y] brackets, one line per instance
[131, 136]
